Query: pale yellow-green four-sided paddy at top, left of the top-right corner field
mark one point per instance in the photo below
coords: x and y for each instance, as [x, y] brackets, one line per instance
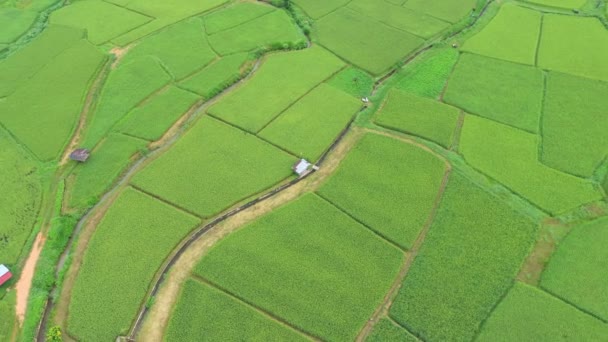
[512, 35]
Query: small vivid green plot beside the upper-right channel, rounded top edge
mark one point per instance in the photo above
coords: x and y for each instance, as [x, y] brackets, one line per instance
[428, 76]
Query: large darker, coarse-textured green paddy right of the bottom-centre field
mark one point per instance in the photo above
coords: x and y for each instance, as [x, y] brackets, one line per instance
[468, 261]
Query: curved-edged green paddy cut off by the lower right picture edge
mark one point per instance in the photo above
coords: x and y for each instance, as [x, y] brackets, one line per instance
[577, 271]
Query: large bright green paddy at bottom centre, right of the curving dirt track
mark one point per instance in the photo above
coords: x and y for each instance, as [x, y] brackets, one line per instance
[309, 264]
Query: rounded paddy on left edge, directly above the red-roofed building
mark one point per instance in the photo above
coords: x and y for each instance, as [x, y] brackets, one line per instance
[21, 196]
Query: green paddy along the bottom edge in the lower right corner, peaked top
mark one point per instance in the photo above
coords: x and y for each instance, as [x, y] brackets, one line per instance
[528, 314]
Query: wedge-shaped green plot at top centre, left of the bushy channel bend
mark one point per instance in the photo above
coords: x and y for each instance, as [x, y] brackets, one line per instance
[275, 28]
